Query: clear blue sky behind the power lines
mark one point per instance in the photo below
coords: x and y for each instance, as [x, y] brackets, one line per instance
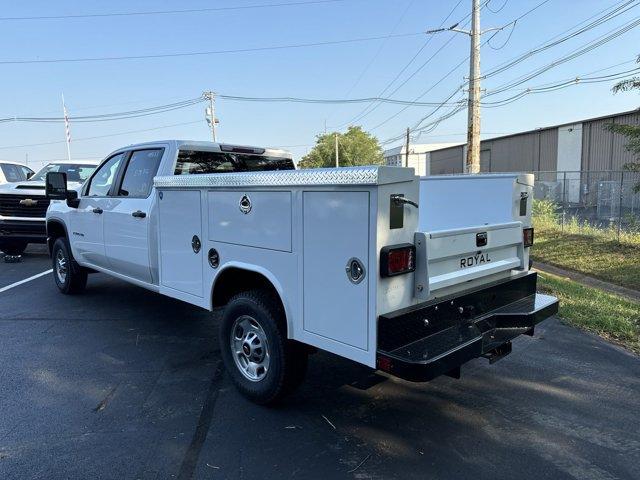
[321, 72]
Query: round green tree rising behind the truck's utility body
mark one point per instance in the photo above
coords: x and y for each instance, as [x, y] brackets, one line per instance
[355, 147]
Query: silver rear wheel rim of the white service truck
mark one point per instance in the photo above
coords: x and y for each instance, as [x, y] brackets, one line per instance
[250, 348]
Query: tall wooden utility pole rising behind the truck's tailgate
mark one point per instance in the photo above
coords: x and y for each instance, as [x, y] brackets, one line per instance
[473, 109]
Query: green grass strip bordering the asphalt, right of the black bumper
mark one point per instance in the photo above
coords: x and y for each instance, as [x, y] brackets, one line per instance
[605, 314]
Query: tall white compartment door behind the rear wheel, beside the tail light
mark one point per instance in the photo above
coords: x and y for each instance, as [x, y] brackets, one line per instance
[335, 309]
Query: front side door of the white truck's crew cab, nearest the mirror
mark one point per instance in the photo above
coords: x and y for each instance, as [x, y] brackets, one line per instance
[87, 221]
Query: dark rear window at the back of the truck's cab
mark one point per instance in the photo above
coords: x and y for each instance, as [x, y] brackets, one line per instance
[193, 161]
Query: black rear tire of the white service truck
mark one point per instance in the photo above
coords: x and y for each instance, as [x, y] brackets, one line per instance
[287, 361]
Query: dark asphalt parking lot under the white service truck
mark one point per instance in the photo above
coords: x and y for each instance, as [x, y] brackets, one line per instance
[123, 383]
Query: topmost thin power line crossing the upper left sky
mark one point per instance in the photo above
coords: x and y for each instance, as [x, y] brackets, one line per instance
[171, 12]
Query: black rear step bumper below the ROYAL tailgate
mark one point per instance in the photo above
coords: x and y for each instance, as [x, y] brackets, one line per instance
[437, 337]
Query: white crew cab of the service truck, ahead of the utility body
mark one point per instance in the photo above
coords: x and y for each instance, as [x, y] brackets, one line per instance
[112, 224]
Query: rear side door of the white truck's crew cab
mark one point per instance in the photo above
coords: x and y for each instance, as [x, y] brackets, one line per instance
[128, 216]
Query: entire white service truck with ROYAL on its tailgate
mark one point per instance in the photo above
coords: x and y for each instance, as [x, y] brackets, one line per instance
[411, 276]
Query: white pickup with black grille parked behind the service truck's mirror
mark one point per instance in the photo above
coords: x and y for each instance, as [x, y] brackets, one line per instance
[23, 205]
